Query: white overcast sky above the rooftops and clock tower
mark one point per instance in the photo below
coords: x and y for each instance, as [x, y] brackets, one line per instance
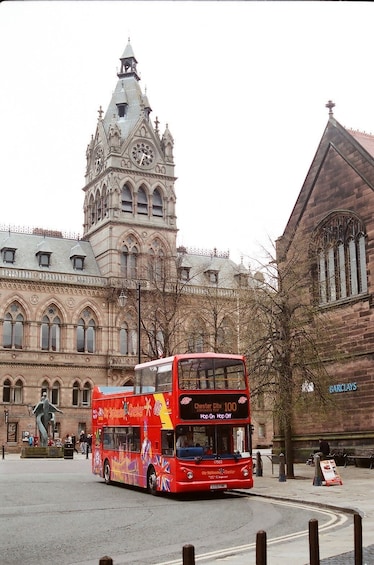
[241, 85]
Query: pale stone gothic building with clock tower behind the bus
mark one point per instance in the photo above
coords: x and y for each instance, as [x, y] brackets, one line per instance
[79, 312]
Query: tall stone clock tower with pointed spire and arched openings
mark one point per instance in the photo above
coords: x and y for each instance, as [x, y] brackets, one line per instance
[129, 205]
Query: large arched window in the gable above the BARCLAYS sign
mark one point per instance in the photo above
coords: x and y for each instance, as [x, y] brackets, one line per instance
[339, 244]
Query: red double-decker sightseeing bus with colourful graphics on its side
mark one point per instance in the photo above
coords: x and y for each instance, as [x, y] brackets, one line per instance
[184, 426]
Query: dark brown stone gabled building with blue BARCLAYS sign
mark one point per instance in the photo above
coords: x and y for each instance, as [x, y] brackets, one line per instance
[331, 227]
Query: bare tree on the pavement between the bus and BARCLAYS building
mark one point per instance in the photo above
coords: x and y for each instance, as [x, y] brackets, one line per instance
[284, 345]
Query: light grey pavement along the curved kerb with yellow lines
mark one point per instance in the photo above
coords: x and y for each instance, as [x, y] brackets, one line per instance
[336, 541]
